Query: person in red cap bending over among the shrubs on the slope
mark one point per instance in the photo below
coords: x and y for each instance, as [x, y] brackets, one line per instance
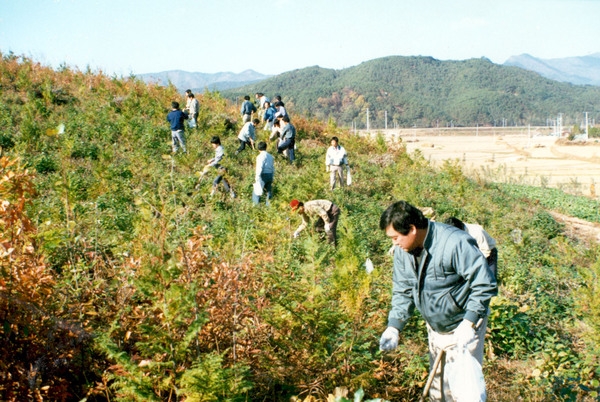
[326, 214]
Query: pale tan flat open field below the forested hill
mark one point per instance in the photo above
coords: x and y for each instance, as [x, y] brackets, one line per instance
[517, 154]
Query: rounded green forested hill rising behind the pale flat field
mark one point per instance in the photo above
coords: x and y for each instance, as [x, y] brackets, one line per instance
[426, 92]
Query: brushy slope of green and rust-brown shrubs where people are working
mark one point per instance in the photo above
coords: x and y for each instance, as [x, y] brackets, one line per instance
[122, 279]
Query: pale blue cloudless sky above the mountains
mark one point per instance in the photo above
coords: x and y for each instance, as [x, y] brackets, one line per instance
[142, 36]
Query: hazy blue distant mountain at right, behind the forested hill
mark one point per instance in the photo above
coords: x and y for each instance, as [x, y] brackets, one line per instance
[582, 70]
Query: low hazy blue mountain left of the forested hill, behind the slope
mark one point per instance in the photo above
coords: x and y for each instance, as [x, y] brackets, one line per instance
[198, 82]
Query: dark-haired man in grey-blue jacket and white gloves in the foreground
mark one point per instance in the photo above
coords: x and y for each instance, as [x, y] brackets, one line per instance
[439, 270]
